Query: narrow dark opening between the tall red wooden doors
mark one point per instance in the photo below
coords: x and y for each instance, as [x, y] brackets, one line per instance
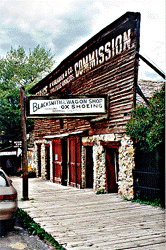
[64, 162]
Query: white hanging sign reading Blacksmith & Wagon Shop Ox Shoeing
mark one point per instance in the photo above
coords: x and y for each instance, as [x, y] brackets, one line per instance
[90, 106]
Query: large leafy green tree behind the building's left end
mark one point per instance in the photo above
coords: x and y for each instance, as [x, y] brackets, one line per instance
[17, 69]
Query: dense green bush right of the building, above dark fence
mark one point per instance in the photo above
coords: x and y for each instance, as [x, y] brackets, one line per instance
[147, 124]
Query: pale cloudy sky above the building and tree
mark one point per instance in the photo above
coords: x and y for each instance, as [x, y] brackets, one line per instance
[64, 25]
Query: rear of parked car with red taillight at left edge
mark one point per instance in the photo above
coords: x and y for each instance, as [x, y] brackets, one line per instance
[8, 203]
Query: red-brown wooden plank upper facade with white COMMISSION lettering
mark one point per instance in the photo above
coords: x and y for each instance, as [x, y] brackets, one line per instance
[115, 77]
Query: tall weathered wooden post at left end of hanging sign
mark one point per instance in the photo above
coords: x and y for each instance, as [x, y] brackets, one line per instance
[24, 144]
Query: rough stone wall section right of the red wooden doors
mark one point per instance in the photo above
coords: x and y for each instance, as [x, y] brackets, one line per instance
[126, 163]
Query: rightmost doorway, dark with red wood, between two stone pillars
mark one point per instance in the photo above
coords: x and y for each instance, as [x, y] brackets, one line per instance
[112, 169]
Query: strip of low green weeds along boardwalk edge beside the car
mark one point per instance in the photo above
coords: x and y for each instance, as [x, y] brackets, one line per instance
[35, 229]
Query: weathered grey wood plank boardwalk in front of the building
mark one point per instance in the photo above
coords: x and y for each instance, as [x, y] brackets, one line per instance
[84, 220]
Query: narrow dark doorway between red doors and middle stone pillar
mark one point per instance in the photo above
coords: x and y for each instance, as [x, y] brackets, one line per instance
[89, 167]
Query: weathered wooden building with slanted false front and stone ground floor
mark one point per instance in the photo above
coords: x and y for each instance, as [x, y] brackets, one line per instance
[87, 151]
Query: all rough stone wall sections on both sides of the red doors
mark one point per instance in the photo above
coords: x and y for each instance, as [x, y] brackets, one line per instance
[125, 160]
